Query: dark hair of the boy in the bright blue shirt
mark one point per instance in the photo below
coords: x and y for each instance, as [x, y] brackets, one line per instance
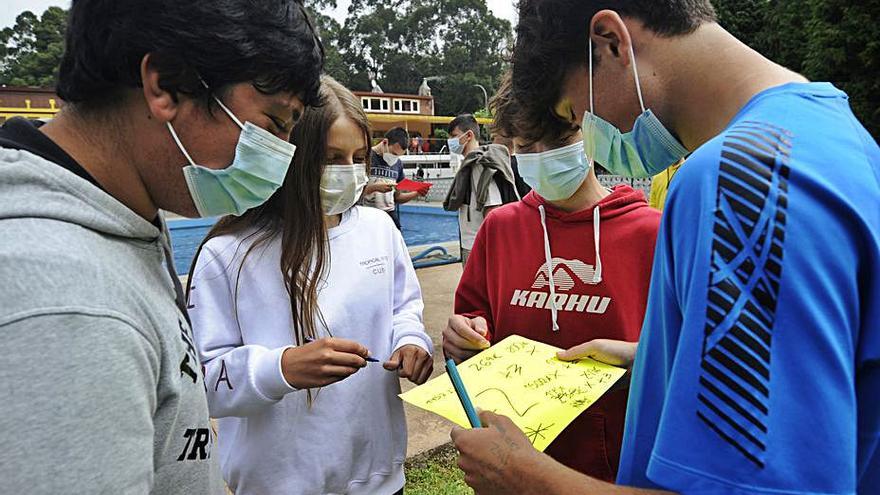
[551, 40]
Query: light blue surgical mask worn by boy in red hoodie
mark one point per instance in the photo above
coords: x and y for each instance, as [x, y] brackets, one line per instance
[555, 174]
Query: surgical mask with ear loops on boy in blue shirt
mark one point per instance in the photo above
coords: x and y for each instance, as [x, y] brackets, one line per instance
[643, 152]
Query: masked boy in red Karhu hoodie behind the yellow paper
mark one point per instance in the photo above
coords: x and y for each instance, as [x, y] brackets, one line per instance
[570, 266]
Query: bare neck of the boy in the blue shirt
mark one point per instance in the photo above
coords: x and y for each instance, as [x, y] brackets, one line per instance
[711, 76]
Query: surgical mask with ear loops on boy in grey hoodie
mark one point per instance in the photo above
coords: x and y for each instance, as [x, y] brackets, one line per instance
[258, 169]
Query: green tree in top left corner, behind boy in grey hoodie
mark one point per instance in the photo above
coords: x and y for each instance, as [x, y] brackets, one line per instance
[30, 51]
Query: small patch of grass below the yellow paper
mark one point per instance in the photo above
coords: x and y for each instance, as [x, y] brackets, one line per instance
[434, 473]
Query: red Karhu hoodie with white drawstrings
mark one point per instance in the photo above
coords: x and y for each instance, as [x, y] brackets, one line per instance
[506, 281]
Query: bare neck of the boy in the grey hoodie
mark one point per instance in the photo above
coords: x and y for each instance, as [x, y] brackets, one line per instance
[96, 147]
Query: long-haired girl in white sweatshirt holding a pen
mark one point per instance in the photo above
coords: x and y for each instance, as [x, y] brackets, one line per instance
[289, 301]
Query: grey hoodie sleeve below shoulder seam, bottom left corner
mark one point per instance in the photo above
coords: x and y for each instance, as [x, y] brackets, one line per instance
[79, 396]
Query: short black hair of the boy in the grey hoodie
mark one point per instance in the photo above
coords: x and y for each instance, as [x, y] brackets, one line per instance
[271, 44]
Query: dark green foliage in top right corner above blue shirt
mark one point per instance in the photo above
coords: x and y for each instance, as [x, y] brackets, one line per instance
[825, 40]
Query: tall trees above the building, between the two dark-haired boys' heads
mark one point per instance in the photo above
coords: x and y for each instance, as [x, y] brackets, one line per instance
[457, 43]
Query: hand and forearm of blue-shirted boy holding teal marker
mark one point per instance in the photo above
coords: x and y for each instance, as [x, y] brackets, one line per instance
[499, 459]
